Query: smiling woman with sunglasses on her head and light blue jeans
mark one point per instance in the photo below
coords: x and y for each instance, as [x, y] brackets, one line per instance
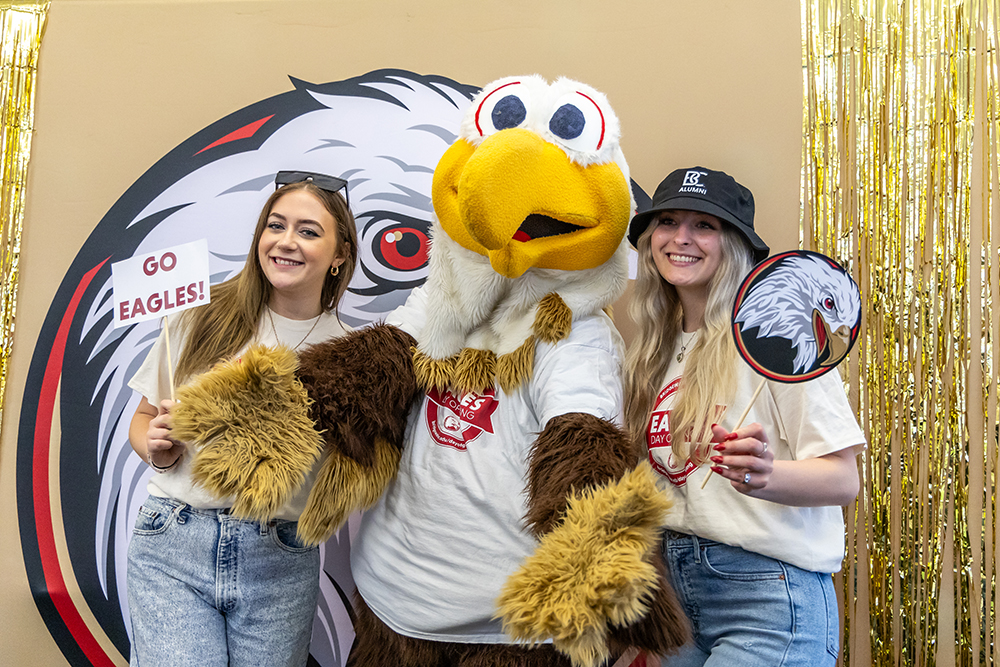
[204, 587]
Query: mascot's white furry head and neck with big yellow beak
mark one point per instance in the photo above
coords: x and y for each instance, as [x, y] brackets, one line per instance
[532, 203]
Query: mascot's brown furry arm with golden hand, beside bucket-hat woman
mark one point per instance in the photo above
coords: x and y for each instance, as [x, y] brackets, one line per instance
[613, 592]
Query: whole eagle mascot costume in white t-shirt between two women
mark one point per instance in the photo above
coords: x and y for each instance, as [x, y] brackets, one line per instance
[507, 520]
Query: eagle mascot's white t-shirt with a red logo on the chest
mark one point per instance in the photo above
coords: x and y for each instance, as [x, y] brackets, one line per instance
[432, 555]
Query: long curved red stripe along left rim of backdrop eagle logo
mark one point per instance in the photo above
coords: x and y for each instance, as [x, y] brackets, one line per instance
[54, 580]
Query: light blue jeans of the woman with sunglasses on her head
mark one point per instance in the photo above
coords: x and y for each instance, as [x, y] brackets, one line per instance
[207, 589]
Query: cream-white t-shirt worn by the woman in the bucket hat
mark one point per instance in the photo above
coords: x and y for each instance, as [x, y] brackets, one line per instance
[801, 421]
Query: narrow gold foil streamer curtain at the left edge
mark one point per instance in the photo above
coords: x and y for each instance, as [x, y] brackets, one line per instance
[21, 27]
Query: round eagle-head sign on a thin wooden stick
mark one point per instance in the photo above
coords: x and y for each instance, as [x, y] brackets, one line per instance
[796, 316]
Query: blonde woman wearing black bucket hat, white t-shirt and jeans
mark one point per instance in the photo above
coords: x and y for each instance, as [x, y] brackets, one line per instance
[751, 553]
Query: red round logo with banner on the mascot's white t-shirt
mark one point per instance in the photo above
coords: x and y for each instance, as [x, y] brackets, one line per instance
[455, 421]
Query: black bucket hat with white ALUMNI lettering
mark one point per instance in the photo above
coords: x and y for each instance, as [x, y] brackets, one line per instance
[713, 192]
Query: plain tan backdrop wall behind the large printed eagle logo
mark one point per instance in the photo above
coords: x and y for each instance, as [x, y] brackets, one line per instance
[122, 82]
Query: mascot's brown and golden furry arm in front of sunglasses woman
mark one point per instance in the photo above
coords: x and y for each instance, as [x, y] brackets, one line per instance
[260, 422]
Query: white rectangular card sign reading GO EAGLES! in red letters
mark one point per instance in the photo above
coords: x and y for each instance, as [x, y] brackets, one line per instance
[155, 284]
